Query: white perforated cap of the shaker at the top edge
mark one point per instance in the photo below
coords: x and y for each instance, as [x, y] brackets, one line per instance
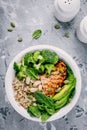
[68, 6]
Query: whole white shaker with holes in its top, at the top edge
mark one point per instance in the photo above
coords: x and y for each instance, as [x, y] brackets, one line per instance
[66, 10]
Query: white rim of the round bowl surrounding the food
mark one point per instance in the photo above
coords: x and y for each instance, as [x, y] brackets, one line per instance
[10, 76]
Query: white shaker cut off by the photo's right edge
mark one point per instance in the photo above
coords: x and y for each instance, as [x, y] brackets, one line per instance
[82, 30]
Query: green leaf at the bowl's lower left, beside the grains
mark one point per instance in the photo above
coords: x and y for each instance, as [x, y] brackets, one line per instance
[34, 110]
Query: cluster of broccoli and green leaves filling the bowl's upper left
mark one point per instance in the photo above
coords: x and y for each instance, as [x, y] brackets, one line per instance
[35, 63]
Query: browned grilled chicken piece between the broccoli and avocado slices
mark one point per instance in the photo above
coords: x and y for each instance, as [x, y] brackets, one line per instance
[55, 79]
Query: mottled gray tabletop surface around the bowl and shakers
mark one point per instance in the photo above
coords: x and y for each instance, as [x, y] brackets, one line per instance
[28, 16]
